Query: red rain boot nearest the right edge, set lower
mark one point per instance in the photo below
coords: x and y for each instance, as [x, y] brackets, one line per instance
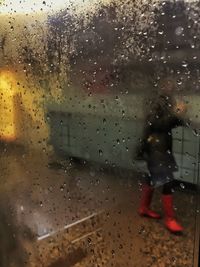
[170, 221]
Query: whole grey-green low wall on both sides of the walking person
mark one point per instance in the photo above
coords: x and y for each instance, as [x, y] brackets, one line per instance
[113, 140]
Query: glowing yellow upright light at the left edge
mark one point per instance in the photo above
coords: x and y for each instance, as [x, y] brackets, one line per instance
[7, 127]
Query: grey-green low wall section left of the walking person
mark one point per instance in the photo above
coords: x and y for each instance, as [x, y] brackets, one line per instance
[97, 138]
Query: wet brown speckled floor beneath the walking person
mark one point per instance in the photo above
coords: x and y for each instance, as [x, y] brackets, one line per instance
[83, 217]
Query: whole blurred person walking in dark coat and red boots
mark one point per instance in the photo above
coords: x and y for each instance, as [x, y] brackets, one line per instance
[164, 115]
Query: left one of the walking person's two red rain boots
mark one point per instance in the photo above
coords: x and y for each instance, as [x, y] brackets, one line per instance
[144, 210]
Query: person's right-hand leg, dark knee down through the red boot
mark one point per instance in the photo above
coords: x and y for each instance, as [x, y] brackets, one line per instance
[167, 198]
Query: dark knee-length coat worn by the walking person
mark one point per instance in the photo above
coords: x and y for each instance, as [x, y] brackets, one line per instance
[157, 141]
